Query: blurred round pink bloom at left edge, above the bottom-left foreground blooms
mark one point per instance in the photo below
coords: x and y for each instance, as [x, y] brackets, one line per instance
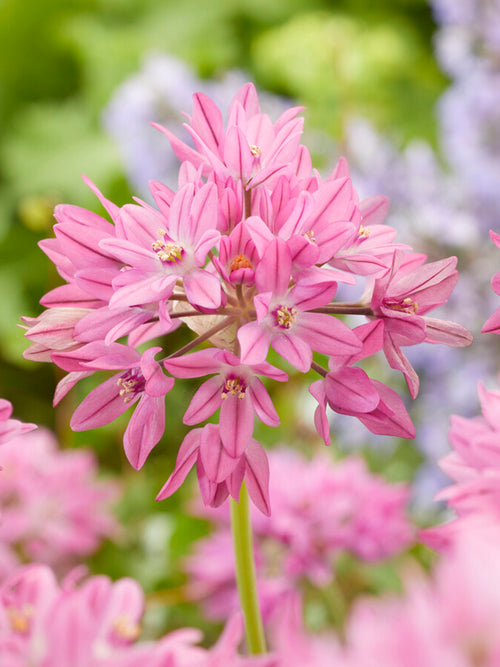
[52, 508]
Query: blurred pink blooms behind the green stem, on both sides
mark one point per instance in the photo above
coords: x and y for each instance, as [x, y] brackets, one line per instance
[358, 513]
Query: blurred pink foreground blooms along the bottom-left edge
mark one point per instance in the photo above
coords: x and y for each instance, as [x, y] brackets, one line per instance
[96, 624]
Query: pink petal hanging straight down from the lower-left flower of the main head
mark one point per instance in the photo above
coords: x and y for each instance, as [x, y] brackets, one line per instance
[145, 429]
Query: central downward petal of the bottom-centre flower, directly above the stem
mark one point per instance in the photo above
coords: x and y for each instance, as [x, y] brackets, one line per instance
[236, 424]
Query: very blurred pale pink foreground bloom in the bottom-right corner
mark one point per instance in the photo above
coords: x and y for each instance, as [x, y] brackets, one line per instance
[453, 620]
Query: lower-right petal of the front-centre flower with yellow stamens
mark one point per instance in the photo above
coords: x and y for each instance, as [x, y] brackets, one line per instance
[327, 334]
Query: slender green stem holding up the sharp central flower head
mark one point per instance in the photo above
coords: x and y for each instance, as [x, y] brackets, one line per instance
[245, 573]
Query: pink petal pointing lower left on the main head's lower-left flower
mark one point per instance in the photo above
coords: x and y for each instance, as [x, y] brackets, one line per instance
[102, 406]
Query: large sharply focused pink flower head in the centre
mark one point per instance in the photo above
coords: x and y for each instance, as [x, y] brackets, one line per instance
[247, 253]
